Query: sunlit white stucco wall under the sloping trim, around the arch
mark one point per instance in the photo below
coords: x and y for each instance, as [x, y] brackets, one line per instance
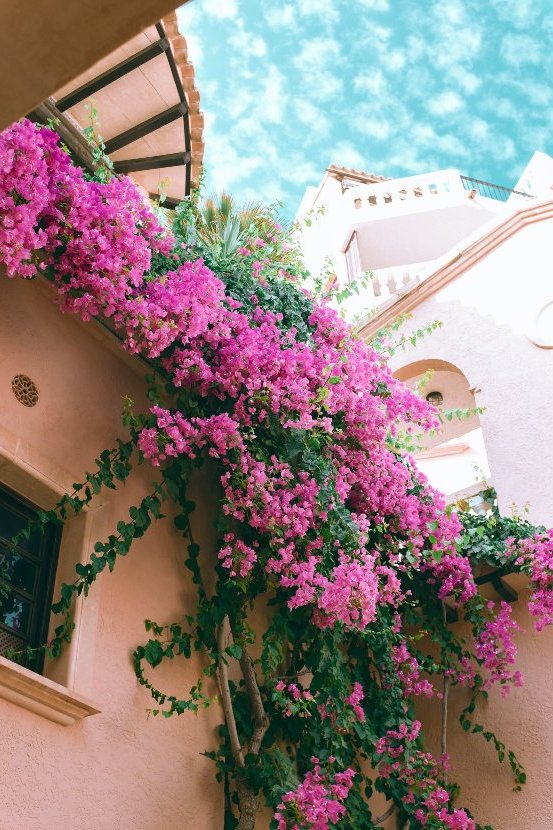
[486, 313]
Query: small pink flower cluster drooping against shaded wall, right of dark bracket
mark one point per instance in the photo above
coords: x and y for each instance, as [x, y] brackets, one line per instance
[494, 647]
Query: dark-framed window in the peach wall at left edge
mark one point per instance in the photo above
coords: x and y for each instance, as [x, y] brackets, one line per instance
[27, 572]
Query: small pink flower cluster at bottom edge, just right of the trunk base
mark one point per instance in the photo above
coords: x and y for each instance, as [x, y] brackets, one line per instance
[317, 802]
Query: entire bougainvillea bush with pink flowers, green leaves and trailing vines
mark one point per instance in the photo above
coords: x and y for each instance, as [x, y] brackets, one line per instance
[323, 516]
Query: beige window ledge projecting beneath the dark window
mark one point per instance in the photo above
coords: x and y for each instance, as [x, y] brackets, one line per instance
[42, 696]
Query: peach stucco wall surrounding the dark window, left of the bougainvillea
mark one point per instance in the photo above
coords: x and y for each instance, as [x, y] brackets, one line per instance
[119, 769]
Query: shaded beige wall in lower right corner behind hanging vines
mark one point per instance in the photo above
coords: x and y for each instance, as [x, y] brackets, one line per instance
[523, 721]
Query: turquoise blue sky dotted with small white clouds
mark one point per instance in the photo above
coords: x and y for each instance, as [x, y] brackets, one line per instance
[395, 87]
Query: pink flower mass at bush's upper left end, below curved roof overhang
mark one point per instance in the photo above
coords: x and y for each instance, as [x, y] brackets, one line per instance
[100, 236]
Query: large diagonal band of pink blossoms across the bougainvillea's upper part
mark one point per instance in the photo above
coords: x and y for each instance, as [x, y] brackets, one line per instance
[97, 240]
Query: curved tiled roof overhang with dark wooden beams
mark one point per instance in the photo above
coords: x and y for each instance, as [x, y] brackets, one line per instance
[147, 108]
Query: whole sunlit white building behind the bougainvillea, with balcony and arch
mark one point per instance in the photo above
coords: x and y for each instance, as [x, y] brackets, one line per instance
[477, 257]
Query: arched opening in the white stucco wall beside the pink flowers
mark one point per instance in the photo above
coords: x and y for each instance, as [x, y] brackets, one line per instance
[454, 458]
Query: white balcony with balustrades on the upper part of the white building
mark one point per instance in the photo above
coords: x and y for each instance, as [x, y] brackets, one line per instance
[399, 230]
